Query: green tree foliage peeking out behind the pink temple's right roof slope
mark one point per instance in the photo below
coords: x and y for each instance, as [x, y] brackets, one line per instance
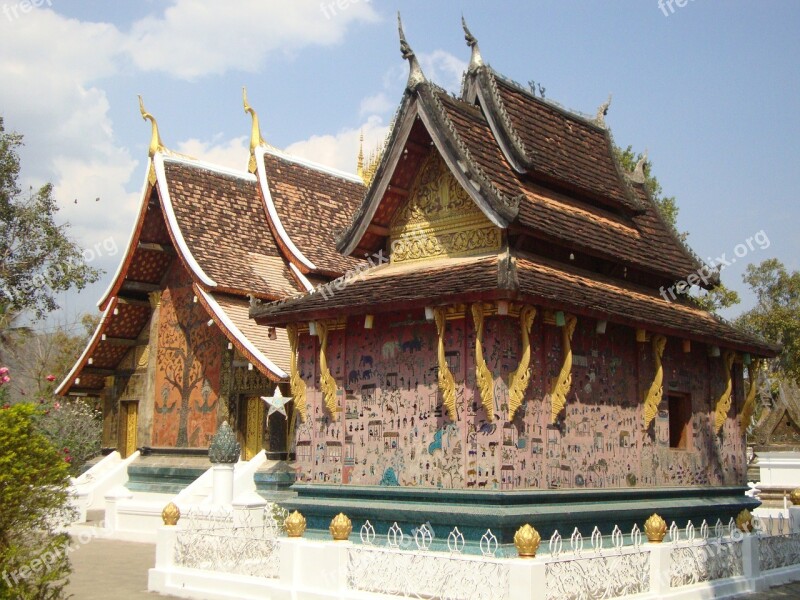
[711, 300]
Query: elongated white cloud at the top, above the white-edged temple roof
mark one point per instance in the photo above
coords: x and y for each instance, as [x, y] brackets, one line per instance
[195, 38]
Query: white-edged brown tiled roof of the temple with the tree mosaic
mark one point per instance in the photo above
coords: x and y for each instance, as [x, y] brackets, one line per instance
[238, 234]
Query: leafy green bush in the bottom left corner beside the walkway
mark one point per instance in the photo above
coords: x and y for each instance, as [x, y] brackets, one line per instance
[34, 477]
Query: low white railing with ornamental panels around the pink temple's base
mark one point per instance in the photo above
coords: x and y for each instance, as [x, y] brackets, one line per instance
[224, 555]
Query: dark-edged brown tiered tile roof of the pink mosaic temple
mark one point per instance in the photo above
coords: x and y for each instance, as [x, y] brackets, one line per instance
[580, 234]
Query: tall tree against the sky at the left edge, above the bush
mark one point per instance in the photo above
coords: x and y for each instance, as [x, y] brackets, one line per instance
[37, 257]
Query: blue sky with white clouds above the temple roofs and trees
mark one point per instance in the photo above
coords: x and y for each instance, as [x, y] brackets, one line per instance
[710, 89]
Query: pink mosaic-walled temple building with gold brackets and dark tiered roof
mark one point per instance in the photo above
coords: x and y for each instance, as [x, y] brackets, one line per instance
[519, 352]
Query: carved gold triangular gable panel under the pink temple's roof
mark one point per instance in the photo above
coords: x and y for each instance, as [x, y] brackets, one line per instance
[439, 219]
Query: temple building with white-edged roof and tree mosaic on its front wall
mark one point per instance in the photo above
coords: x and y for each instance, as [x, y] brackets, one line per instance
[175, 353]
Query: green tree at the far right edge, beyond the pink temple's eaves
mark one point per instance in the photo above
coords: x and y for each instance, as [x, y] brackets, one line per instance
[776, 315]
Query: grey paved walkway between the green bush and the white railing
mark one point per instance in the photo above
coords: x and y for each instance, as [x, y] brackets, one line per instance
[103, 569]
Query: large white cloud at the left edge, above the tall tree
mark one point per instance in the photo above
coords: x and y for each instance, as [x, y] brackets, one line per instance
[49, 94]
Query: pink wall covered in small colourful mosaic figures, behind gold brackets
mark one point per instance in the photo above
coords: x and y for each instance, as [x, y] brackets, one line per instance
[391, 429]
